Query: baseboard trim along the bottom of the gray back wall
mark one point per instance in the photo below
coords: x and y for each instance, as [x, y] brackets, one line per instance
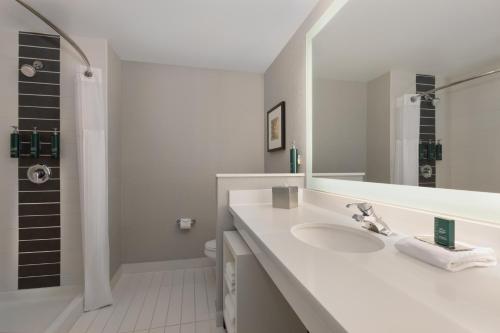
[156, 266]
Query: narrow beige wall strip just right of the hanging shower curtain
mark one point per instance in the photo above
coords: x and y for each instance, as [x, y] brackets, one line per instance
[114, 159]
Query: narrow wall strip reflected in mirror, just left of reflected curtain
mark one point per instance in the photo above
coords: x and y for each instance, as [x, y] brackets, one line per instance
[378, 130]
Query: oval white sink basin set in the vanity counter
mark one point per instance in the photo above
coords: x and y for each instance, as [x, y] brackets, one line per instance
[337, 238]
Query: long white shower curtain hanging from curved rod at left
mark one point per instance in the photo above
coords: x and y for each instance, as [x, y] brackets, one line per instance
[91, 126]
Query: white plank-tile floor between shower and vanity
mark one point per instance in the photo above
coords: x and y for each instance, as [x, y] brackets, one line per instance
[177, 301]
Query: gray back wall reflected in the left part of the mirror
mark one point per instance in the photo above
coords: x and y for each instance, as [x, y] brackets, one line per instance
[339, 122]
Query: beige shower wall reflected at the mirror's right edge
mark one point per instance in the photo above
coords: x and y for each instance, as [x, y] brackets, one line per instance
[473, 137]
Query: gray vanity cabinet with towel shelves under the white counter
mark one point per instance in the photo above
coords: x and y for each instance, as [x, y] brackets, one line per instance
[259, 305]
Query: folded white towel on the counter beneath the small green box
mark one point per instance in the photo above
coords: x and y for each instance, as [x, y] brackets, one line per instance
[452, 261]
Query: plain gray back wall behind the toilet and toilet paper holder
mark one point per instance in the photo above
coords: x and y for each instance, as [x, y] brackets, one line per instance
[181, 126]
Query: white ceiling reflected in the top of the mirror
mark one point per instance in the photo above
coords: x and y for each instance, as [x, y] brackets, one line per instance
[447, 38]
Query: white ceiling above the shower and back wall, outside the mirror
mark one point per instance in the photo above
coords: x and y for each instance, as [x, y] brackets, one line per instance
[243, 35]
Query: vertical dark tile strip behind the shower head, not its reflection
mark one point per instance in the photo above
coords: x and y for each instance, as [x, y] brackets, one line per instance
[39, 208]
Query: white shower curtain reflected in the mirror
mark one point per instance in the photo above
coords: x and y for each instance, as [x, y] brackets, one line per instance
[406, 168]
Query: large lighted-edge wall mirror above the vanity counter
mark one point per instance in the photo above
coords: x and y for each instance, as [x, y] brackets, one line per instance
[387, 105]
